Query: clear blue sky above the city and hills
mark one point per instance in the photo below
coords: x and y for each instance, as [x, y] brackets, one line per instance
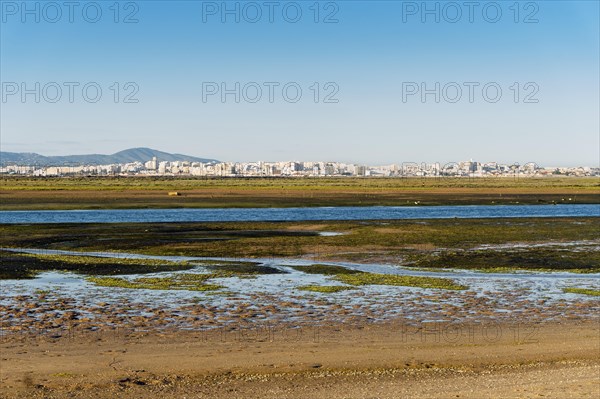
[373, 54]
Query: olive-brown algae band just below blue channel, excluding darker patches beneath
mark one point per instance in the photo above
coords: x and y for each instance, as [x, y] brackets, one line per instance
[362, 241]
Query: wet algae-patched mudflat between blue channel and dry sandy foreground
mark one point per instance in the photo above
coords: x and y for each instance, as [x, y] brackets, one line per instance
[161, 276]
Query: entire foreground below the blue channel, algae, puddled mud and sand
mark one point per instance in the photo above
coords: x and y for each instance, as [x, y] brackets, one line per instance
[226, 309]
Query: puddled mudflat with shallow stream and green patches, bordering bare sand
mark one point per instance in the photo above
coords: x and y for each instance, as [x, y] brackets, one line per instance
[274, 292]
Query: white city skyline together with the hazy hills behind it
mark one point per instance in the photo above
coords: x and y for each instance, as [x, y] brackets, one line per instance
[148, 164]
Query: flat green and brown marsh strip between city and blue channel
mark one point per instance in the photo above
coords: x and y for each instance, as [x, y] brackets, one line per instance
[26, 193]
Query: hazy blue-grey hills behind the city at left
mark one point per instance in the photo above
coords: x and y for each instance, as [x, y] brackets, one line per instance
[126, 156]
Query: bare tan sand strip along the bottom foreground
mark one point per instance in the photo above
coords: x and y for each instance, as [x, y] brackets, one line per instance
[509, 360]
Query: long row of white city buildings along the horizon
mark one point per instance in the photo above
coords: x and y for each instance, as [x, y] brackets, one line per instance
[155, 167]
